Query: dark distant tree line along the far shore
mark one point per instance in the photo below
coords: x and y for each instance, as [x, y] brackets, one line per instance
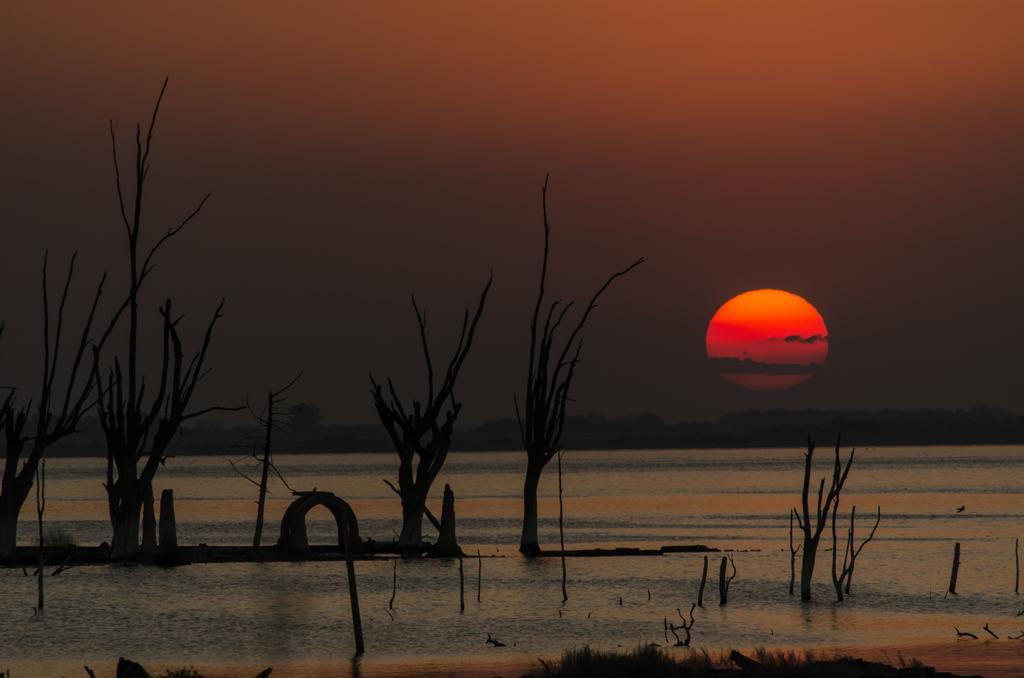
[309, 433]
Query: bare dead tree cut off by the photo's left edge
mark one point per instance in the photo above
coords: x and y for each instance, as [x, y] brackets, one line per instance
[56, 411]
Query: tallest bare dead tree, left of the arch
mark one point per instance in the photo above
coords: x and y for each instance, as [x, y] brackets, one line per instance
[138, 433]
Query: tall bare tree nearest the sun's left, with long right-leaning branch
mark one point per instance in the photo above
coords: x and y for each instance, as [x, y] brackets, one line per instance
[549, 378]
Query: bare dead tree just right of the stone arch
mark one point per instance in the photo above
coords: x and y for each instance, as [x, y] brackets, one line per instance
[422, 435]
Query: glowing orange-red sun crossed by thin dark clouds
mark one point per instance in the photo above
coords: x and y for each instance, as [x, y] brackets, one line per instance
[767, 341]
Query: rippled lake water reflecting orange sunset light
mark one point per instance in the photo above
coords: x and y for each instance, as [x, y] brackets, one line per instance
[295, 617]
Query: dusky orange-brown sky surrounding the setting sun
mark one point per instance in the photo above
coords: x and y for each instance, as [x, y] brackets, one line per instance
[867, 156]
